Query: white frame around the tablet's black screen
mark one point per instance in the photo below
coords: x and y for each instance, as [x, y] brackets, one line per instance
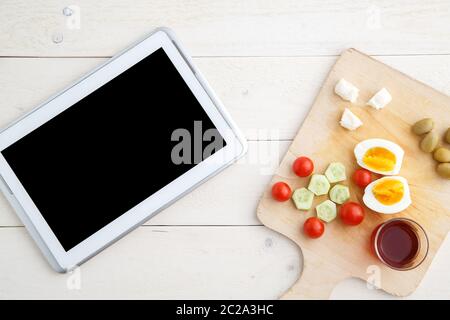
[236, 147]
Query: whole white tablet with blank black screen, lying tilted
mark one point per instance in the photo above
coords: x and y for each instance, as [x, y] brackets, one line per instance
[107, 153]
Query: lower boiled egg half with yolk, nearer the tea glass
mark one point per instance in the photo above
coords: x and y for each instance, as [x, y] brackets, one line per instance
[387, 195]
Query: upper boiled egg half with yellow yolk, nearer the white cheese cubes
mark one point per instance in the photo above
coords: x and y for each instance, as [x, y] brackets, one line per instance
[380, 156]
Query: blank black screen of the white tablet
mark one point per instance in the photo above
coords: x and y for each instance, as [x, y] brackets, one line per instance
[113, 149]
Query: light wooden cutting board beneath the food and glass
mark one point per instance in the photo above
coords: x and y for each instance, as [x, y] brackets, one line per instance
[344, 251]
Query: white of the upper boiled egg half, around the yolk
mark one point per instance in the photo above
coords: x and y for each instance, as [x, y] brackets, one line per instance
[362, 147]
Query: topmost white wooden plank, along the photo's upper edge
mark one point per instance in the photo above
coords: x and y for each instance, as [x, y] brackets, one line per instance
[228, 28]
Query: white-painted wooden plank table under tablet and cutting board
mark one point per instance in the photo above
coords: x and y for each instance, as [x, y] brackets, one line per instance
[266, 60]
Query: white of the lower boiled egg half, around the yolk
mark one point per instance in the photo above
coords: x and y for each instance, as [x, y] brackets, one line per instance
[372, 203]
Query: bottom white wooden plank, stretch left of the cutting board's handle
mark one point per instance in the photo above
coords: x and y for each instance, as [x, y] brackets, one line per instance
[158, 263]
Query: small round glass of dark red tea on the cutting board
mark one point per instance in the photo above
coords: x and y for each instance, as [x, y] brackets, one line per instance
[400, 243]
